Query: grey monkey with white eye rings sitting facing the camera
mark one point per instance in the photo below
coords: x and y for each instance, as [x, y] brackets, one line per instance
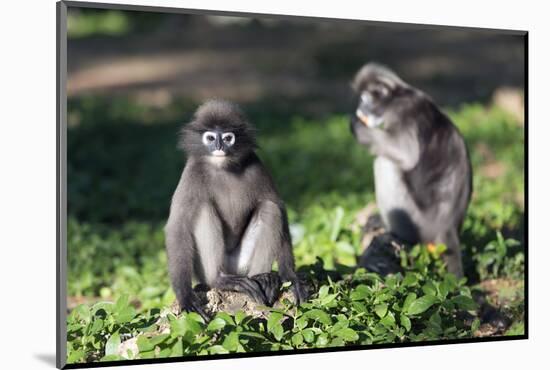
[227, 223]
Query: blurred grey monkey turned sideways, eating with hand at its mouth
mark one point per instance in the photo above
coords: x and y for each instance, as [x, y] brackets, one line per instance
[422, 170]
